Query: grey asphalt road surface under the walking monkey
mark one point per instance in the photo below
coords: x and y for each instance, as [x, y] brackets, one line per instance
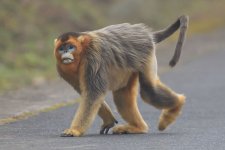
[200, 76]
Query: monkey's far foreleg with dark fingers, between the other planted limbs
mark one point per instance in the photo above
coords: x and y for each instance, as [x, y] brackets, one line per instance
[108, 119]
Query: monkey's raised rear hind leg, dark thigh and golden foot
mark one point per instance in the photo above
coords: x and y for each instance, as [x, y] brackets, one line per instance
[159, 95]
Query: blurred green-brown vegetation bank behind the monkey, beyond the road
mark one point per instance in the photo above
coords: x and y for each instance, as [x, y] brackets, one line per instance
[28, 28]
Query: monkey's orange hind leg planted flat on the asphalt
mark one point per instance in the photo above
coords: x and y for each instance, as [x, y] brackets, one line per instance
[125, 100]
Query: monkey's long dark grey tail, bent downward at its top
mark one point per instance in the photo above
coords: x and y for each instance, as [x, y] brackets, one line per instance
[182, 23]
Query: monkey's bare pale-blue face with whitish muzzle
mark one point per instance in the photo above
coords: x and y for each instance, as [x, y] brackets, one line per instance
[66, 51]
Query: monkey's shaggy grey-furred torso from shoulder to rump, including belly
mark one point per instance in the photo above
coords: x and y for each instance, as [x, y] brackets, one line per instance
[114, 53]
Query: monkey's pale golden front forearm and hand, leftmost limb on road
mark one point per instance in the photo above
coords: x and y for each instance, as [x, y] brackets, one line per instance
[84, 117]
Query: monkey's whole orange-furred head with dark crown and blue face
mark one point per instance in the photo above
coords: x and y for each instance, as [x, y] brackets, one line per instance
[69, 49]
